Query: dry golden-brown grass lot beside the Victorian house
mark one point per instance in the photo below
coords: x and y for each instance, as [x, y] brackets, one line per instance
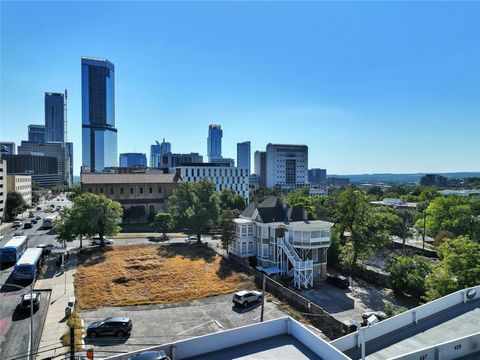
[149, 274]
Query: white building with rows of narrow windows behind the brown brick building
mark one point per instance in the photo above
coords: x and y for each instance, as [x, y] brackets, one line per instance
[223, 177]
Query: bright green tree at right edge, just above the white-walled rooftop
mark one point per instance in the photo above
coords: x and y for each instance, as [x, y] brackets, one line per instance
[458, 268]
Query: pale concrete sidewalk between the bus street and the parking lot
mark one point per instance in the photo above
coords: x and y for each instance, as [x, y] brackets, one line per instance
[55, 322]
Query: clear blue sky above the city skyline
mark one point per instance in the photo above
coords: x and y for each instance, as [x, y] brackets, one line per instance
[368, 86]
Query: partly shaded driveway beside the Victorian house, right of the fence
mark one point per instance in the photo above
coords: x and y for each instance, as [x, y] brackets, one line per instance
[345, 304]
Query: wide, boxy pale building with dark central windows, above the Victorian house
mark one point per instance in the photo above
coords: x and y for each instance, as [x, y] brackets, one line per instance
[287, 165]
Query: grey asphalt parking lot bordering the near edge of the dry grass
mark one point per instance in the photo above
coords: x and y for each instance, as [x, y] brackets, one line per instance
[159, 324]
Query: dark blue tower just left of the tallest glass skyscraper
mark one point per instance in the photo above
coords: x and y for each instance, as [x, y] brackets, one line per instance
[55, 117]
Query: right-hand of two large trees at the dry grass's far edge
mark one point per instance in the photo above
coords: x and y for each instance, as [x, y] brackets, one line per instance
[195, 206]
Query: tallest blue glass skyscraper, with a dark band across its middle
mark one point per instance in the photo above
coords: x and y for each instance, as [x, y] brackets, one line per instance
[99, 135]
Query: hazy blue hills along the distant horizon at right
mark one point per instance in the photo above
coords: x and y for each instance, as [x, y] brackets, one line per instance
[400, 178]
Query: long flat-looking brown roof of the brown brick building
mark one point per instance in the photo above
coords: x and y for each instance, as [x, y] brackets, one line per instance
[137, 178]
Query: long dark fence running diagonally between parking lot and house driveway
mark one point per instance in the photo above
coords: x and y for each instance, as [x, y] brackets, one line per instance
[317, 316]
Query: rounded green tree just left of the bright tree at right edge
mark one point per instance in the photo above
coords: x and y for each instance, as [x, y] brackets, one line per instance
[407, 275]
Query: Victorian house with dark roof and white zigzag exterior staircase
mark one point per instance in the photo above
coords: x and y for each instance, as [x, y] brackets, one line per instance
[283, 241]
